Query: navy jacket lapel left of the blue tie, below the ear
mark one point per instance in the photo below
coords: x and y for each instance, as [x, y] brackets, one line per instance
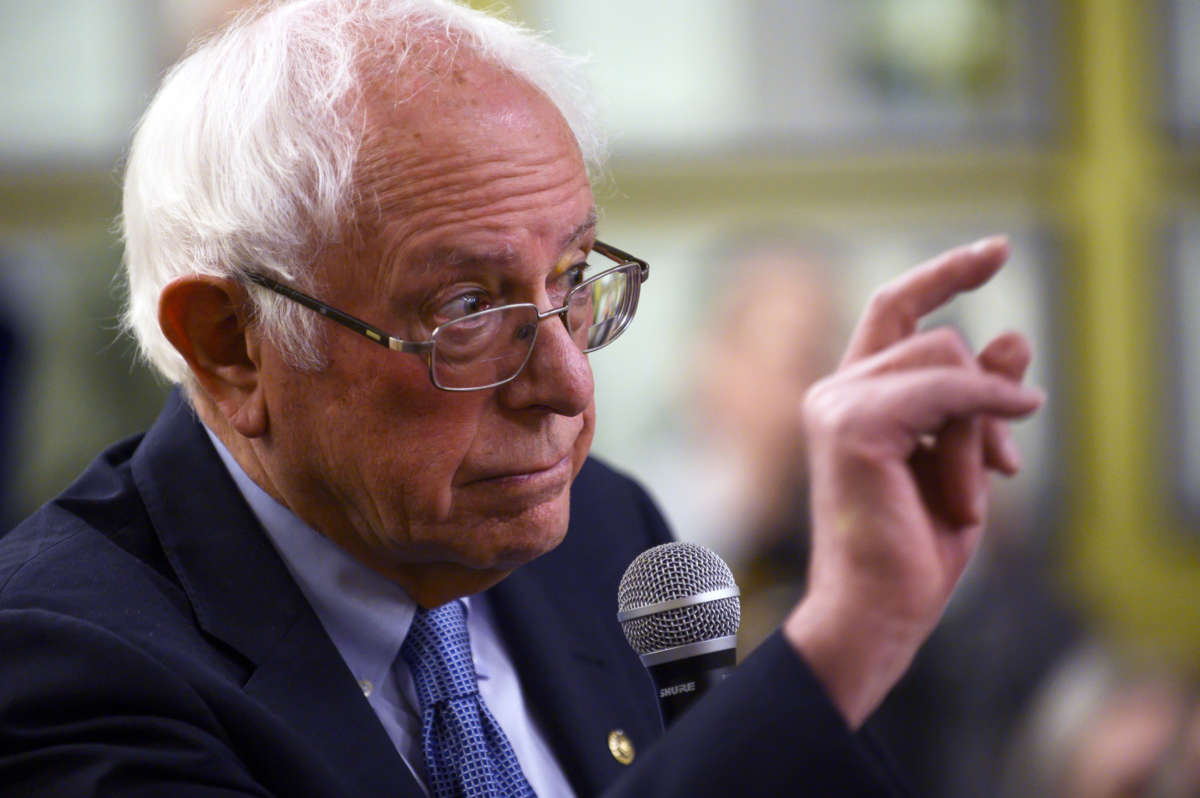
[243, 596]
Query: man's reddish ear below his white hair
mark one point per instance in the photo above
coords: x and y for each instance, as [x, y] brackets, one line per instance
[207, 320]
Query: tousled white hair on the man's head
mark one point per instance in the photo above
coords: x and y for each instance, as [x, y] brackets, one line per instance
[245, 160]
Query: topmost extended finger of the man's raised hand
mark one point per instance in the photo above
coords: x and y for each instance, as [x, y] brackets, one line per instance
[896, 310]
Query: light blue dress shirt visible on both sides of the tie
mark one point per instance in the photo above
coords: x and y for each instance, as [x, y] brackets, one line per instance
[368, 617]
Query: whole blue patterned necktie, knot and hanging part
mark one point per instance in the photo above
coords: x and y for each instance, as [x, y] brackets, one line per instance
[466, 753]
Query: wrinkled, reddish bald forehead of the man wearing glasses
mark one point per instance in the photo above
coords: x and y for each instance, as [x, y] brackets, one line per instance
[465, 147]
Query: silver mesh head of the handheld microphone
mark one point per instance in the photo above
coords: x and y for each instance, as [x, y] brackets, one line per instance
[676, 572]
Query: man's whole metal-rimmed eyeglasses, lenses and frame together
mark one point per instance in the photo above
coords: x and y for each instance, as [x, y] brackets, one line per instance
[491, 347]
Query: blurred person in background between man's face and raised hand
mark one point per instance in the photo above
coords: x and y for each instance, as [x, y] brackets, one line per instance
[733, 472]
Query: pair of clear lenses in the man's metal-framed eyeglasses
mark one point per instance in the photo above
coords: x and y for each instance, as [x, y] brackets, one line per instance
[493, 346]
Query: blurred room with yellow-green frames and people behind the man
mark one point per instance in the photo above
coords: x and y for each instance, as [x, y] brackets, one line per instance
[775, 160]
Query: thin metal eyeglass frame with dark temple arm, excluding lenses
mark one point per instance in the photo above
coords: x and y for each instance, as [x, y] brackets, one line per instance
[623, 261]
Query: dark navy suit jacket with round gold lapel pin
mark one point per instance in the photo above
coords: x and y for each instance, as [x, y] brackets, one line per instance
[153, 644]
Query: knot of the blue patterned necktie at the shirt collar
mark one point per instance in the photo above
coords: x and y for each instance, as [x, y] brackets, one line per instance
[439, 655]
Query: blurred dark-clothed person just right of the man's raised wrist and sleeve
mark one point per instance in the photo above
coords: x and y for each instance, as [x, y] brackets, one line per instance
[1006, 629]
